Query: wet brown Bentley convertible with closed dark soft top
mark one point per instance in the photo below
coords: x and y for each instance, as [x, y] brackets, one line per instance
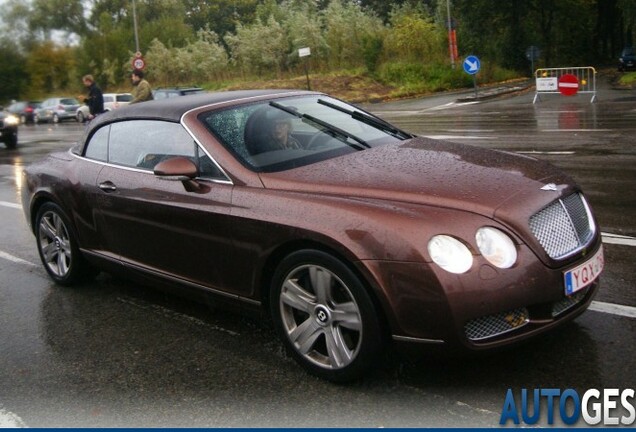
[347, 231]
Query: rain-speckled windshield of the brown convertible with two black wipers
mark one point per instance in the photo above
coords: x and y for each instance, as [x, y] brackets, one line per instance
[287, 133]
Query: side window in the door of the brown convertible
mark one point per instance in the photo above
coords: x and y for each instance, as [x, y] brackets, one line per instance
[145, 143]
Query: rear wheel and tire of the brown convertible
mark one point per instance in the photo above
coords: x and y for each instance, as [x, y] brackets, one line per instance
[58, 248]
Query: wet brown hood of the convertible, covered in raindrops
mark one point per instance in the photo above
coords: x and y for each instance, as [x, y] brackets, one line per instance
[430, 172]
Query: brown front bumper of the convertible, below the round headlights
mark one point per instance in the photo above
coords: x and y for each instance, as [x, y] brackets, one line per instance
[484, 308]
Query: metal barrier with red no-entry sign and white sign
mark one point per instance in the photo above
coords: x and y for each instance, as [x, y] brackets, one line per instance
[560, 81]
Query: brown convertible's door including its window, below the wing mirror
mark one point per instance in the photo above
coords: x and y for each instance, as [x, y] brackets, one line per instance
[157, 224]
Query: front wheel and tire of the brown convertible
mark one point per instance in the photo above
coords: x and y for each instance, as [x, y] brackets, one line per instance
[325, 316]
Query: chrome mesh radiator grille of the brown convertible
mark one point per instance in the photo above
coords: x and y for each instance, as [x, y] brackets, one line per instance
[564, 226]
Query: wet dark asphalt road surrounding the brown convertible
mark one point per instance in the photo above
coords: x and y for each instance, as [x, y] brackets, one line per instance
[115, 353]
